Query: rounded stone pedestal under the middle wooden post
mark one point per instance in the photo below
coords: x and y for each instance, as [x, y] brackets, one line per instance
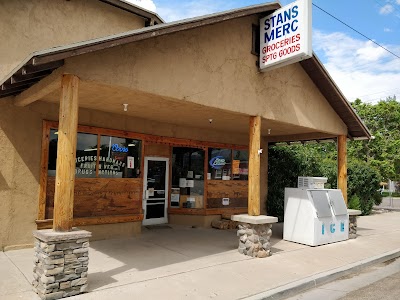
[254, 234]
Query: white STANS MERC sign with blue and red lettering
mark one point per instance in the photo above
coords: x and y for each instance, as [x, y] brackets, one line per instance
[285, 35]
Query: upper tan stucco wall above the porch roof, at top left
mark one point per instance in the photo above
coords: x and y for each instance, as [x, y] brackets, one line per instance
[28, 26]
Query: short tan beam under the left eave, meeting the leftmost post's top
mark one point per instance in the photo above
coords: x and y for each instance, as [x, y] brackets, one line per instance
[44, 87]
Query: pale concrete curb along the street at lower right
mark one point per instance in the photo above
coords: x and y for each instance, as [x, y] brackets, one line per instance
[295, 287]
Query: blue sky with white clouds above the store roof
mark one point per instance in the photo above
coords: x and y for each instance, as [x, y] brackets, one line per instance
[360, 68]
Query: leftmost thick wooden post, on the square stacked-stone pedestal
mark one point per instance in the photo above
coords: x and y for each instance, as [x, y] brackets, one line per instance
[66, 153]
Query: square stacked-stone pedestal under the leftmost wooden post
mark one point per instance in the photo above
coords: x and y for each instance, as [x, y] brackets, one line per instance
[60, 263]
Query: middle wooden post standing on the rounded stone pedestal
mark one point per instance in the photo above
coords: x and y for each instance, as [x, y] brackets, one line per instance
[254, 167]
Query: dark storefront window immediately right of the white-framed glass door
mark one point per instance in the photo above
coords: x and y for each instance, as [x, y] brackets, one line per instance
[187, 177]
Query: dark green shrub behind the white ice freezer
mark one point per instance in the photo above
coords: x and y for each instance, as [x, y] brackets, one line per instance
[287, 163]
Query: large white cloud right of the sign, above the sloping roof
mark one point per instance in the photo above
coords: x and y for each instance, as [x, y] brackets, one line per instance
[361, 69]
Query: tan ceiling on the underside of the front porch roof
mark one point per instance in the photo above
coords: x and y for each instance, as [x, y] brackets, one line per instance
[178, 112]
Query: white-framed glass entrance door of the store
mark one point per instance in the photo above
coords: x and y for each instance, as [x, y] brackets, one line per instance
[155, 190]
